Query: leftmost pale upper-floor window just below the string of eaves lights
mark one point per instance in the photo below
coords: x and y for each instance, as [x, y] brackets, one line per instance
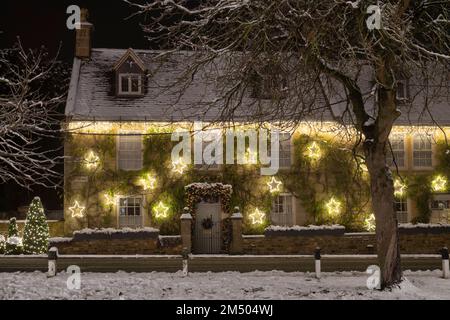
[129, 152]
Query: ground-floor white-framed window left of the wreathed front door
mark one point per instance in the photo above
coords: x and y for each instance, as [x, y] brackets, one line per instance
[130, 212]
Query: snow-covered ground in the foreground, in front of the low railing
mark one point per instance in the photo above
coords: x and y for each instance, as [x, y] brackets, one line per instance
[228, 285]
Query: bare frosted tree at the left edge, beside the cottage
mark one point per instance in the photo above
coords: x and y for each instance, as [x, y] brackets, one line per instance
[32, 87]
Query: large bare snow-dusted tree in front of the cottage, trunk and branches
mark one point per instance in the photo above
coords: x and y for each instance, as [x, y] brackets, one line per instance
[325, 49]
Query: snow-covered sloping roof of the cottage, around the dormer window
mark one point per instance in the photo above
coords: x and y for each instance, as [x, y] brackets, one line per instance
[92, 97]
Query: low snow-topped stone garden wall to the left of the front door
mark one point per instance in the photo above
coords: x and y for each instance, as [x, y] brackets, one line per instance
[122, 243]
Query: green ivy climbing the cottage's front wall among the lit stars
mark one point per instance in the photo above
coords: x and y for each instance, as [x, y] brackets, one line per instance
[336, 173]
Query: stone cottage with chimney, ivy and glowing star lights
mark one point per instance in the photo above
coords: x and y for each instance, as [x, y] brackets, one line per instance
[123, 106]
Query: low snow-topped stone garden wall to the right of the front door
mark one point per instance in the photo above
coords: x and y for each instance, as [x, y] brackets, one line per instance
[412, 241]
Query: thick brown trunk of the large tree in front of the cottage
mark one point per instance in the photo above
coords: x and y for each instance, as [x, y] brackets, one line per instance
[382, 190]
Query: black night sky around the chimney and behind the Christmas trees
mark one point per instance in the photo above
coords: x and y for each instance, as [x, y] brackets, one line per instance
[43, 23]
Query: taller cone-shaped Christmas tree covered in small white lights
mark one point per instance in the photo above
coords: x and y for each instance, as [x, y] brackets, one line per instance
[35, 233]
